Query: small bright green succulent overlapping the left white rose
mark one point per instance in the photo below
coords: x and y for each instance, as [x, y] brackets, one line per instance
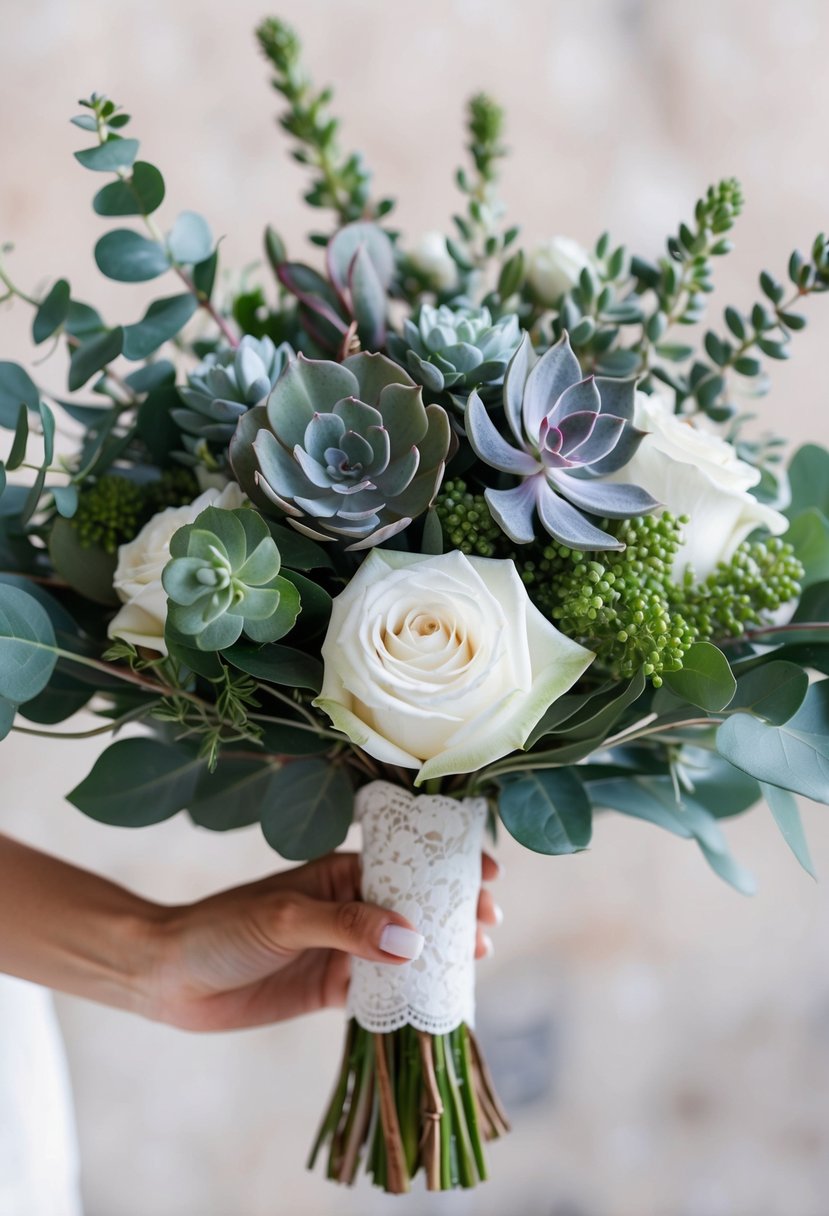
[223, 579]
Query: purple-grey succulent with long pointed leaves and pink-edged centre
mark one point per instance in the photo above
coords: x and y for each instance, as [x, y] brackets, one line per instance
[568, 431]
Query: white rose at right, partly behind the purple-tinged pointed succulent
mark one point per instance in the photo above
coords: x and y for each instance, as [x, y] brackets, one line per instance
[693, 472]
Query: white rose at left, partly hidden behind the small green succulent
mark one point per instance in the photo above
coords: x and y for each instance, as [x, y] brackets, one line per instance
[138, 579]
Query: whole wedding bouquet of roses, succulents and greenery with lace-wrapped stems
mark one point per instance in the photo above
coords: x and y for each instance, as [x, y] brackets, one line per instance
[438, 534]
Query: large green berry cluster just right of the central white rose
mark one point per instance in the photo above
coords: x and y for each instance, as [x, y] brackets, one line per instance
[617, 603]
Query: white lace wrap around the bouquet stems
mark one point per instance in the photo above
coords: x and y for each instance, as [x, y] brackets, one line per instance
[421, 857]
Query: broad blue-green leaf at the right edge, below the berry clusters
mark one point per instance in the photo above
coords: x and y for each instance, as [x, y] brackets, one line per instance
[794, 756]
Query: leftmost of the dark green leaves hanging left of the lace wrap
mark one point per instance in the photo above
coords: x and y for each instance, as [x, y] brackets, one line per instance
[138, 782]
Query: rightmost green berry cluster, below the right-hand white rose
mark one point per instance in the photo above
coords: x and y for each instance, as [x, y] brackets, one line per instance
[760, 578]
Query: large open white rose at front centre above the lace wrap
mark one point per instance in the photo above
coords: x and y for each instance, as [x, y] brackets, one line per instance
[442, 663]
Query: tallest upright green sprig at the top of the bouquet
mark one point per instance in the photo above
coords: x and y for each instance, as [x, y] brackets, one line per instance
[341, 182]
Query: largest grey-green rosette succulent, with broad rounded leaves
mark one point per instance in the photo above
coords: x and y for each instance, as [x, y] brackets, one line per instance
[347, 451]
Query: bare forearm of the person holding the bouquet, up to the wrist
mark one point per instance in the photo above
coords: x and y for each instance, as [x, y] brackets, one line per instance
[72, 931]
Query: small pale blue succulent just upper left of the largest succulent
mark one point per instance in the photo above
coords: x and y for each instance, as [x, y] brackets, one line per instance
[228, 384]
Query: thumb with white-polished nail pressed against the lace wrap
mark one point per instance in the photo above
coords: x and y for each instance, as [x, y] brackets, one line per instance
[364, 930]
